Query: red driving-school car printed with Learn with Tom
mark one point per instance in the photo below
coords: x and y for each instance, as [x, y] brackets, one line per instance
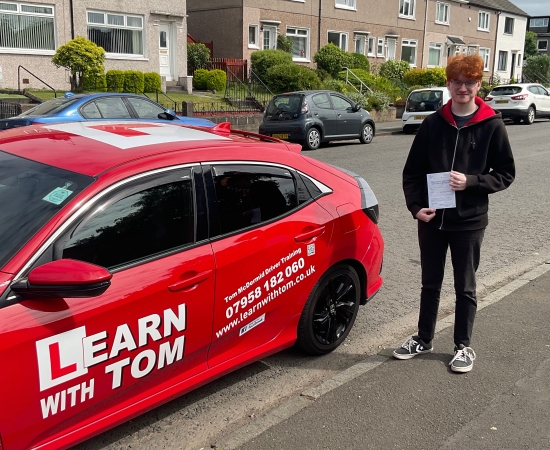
[139, 261]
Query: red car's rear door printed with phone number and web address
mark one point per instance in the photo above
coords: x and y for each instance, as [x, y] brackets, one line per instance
[270, 240]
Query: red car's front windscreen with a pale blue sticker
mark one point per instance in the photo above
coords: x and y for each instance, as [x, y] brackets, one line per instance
[31, 193]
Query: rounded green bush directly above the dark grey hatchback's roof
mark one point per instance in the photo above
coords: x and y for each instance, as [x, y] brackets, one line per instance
[291, 77]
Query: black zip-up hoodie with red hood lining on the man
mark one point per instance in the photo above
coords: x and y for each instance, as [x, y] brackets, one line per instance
[482, 153]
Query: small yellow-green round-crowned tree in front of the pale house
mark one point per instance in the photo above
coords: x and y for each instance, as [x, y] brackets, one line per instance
[80, 56]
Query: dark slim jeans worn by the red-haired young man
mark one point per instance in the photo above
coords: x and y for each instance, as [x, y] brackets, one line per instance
[465, 249]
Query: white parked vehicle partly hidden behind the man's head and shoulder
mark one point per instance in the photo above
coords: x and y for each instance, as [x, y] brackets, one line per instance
[420, 104]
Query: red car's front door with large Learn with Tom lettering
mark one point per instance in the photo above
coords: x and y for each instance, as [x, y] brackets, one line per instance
[76, 361]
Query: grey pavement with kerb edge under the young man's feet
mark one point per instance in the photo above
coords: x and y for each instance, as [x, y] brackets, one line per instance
[383, 403]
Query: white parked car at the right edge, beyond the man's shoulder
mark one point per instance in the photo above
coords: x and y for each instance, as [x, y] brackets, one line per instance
[520, 101]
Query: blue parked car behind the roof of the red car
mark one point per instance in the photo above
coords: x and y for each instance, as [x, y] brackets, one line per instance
[108, 106]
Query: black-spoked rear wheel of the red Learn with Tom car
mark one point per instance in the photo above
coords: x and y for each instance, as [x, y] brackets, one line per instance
[330, 311]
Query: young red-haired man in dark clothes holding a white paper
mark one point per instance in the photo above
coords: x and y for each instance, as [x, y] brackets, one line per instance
[468, 139]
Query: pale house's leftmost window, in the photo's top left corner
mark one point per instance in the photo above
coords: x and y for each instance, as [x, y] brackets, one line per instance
[30, 28]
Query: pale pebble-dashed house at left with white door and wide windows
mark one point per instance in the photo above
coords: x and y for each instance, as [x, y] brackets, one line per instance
[135, 35]
